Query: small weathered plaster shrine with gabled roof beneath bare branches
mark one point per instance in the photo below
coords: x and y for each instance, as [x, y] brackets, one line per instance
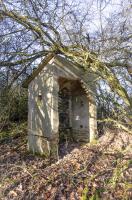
[61, 102]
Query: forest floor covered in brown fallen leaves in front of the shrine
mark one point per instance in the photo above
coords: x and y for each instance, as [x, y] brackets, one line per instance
[102, 170]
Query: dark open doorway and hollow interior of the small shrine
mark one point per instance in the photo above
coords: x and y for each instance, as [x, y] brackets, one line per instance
[73, 115]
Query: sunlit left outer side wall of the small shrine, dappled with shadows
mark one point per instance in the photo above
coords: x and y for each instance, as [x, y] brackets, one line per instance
[40, 112]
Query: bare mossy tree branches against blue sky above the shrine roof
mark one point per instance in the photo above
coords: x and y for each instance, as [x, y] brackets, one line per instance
[81, 31]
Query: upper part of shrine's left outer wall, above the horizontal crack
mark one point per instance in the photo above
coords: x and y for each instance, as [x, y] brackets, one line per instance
[40, 110]
